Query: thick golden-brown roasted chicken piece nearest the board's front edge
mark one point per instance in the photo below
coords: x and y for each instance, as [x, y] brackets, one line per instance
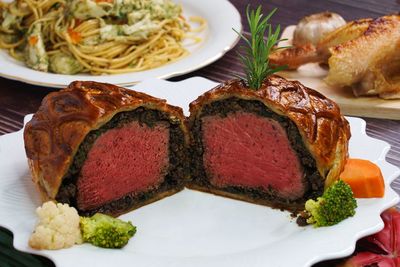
[370, 64]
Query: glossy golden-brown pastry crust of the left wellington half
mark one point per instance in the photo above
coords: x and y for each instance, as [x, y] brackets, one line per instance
[65, 117]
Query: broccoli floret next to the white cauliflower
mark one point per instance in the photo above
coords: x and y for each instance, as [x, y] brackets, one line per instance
[105, 231]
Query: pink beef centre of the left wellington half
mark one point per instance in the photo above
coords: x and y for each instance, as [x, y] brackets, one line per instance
[131, 159]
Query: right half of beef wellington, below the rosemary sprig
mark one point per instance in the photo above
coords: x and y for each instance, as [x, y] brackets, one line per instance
[278, 146]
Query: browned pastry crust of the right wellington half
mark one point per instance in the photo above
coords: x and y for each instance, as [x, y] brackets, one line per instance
[324, 130]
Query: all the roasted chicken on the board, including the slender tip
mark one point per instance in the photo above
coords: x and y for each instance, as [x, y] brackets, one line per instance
[363, 55]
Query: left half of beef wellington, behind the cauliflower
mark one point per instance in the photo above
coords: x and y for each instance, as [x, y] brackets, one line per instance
[102, 148]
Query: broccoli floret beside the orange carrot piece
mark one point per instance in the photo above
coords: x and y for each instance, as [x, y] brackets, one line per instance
[336, 204]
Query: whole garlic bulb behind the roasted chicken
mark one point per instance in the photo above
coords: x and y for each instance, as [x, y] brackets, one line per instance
[312, 28]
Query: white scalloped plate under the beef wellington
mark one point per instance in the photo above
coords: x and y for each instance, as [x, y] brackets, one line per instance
[197, 229]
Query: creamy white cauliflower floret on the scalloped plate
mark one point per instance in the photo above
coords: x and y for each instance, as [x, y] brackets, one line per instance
[58, 227]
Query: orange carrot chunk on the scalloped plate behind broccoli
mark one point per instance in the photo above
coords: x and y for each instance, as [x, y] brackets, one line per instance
[364, 177]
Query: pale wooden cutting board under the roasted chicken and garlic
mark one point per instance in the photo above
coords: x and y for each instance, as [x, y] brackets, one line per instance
[312, 75]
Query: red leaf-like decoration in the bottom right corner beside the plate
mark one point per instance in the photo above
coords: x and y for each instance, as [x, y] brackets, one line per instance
[382, 248]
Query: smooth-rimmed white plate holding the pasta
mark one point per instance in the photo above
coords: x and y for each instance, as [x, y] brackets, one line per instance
[217, 39]
